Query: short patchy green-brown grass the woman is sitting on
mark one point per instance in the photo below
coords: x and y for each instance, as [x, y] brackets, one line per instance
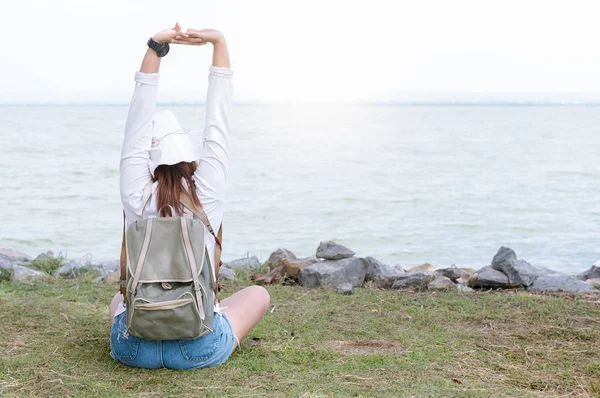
[317, 343]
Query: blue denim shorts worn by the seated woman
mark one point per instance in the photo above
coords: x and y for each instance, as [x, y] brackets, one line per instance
[206, 351]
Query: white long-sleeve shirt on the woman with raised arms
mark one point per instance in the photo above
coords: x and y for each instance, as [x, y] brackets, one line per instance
[212, 166]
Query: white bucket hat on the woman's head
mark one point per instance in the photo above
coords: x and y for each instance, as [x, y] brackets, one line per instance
[170, 143]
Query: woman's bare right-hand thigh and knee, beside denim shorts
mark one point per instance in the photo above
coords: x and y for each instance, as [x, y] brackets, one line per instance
[245, 308]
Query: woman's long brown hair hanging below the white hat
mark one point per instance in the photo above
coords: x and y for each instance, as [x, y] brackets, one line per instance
[170, 185]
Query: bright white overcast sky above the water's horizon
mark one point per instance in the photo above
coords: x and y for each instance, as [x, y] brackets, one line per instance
[86, 51]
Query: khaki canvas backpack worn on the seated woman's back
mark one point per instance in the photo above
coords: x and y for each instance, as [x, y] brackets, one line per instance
[166, 276]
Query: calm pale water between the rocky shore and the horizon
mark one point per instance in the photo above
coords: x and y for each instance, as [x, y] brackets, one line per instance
[406, 185]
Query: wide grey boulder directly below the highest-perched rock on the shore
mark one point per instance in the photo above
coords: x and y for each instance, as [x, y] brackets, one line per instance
[333, 273]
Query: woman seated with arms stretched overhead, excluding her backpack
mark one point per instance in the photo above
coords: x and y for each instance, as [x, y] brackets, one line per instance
[158, 156]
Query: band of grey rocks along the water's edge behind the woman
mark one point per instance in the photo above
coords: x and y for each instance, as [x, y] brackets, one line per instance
[333, 266]
